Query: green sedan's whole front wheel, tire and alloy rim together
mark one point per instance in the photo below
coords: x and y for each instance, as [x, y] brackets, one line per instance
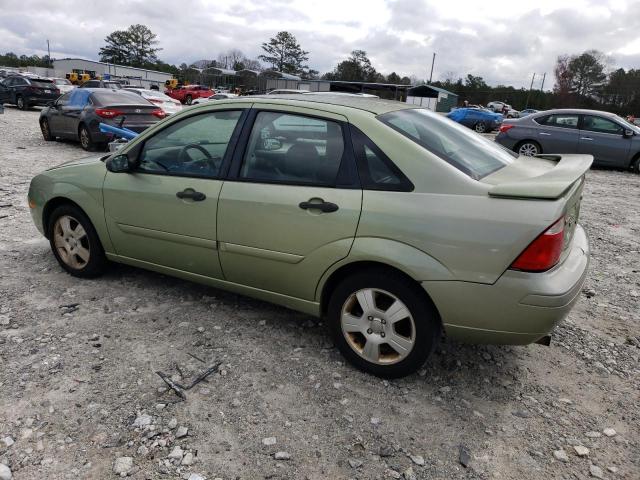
[75, 243]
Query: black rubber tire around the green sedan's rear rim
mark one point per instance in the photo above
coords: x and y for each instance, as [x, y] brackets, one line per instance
[426, 323]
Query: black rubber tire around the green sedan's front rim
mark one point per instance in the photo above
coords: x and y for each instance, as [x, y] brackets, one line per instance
[96, 264]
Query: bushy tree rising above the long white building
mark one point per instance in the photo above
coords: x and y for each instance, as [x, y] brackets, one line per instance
[135, 46]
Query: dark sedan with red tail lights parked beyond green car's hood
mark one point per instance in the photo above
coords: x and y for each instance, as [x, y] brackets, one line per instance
[76, 115]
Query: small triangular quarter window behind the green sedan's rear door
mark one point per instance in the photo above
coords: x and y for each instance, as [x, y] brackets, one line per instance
[376, 170]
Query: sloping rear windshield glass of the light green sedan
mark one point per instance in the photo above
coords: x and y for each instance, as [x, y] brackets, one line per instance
[466, 150]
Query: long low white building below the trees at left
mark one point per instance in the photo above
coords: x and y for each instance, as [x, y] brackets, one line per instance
[134, 76]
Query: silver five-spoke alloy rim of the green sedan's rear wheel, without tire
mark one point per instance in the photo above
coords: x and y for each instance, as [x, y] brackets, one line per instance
[378, 326]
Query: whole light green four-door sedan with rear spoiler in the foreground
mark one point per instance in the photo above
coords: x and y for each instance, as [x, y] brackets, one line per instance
[393, 223]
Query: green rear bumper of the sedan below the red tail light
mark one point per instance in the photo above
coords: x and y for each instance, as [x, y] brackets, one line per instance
[519, 308]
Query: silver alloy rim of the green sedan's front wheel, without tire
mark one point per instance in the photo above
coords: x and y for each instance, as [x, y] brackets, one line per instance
[71, 242]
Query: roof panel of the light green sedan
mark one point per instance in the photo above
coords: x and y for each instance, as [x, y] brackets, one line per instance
[331, 103]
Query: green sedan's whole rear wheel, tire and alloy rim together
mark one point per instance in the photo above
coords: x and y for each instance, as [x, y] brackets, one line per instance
[382, 323]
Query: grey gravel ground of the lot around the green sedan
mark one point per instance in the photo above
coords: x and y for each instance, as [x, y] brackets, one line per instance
[79, 396]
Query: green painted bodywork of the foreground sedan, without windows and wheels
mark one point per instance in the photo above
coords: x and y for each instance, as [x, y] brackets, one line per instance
[456, 236]
